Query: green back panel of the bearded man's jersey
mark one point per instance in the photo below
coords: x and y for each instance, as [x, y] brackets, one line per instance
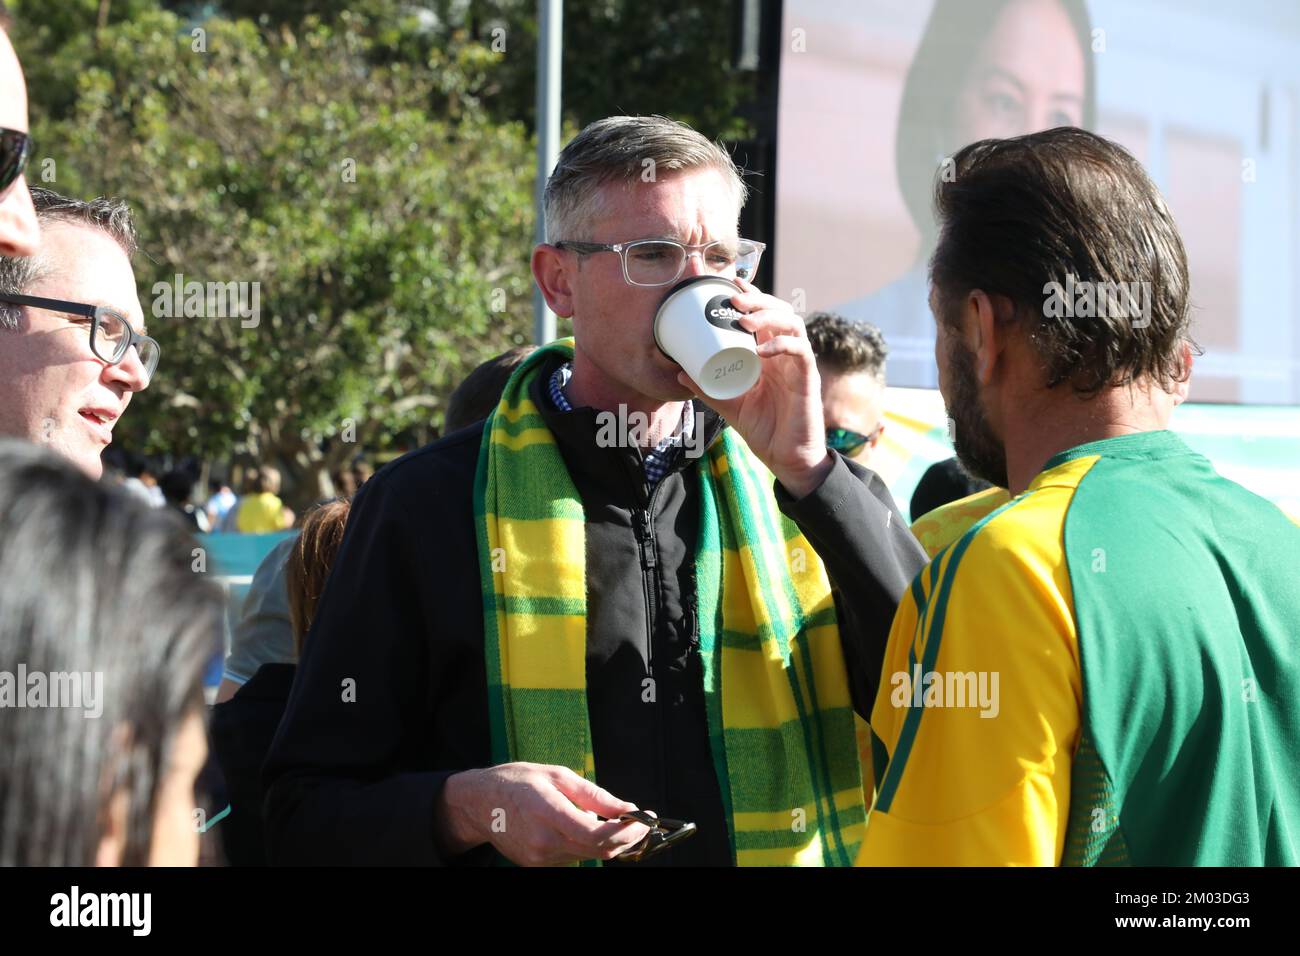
[1188, 604]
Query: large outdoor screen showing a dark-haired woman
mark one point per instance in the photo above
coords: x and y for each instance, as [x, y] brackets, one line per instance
[874, 94]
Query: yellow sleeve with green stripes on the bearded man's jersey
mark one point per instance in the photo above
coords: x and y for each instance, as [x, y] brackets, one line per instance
[981, 775]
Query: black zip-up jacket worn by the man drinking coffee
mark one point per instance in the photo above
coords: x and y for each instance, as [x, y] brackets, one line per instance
[392, 698]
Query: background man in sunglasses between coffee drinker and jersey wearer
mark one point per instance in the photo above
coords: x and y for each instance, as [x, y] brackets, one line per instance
[851, 358]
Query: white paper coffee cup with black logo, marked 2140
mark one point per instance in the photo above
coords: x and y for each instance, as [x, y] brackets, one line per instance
[696, 327]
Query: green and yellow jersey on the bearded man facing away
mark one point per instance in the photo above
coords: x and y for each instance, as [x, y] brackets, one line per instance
[1103, 671]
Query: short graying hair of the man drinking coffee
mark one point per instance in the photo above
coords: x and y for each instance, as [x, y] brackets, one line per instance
[626, 150]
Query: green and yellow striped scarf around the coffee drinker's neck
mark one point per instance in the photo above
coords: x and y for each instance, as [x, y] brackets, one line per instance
[781, 720]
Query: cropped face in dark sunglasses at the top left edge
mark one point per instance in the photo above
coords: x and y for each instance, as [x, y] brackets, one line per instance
[19, 230]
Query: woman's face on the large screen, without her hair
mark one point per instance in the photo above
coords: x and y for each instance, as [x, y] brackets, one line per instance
[1029, 76]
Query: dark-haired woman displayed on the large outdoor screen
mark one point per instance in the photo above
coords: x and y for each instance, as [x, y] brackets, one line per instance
[983, 70]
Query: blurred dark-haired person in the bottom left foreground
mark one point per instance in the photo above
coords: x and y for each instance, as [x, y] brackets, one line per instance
[99, 600]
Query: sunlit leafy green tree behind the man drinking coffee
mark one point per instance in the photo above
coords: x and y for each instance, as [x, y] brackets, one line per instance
[385, 215]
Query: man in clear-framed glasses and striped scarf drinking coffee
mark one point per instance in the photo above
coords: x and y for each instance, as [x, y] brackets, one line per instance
[566, 622]
